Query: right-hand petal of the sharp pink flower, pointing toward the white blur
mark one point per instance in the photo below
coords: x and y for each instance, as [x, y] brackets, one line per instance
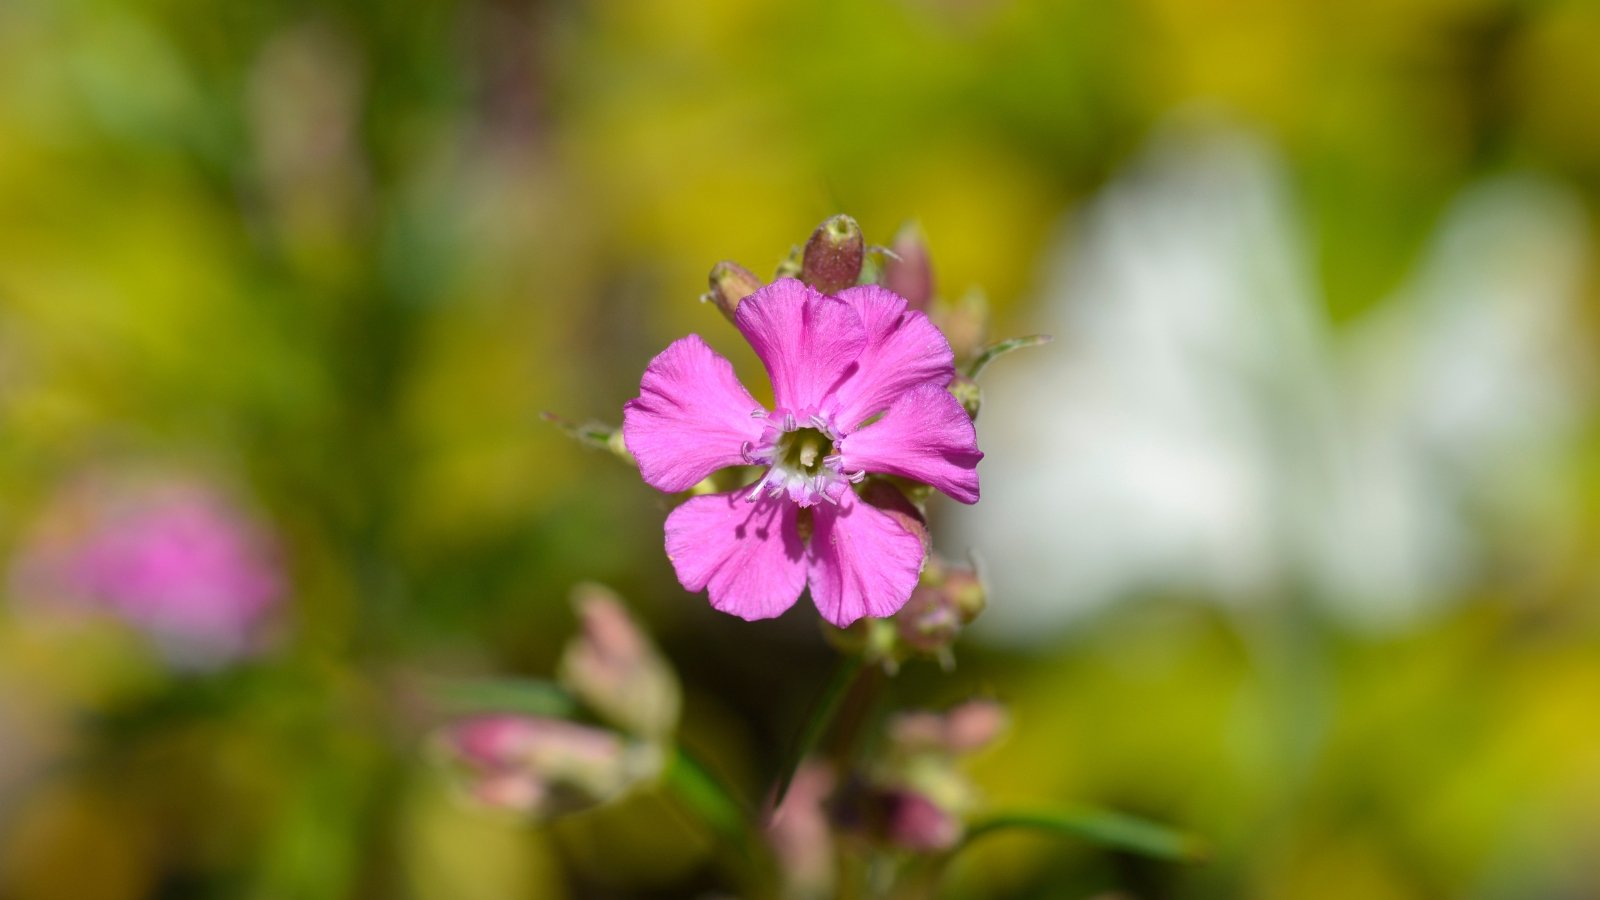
[924, 436]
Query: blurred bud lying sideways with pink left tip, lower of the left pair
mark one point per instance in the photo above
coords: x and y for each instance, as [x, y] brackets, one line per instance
[543, 768]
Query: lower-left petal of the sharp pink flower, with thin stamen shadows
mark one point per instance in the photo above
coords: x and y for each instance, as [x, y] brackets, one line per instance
[748, 555]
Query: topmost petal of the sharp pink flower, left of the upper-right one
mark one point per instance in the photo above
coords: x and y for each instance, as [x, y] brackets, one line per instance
[809, 342]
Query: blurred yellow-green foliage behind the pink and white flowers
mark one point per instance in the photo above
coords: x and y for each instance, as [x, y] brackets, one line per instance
[345, 254]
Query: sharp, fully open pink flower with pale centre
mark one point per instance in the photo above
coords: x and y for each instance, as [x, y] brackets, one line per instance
[860, 388]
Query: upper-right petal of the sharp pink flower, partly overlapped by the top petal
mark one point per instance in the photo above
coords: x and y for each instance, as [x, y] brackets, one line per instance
[905, 350]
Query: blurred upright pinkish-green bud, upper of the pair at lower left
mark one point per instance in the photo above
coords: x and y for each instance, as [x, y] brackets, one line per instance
[617, 672]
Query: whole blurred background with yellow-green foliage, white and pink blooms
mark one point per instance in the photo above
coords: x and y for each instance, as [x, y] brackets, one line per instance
[1292, 534]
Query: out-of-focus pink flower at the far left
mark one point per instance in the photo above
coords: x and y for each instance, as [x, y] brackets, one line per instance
[174, 560]
